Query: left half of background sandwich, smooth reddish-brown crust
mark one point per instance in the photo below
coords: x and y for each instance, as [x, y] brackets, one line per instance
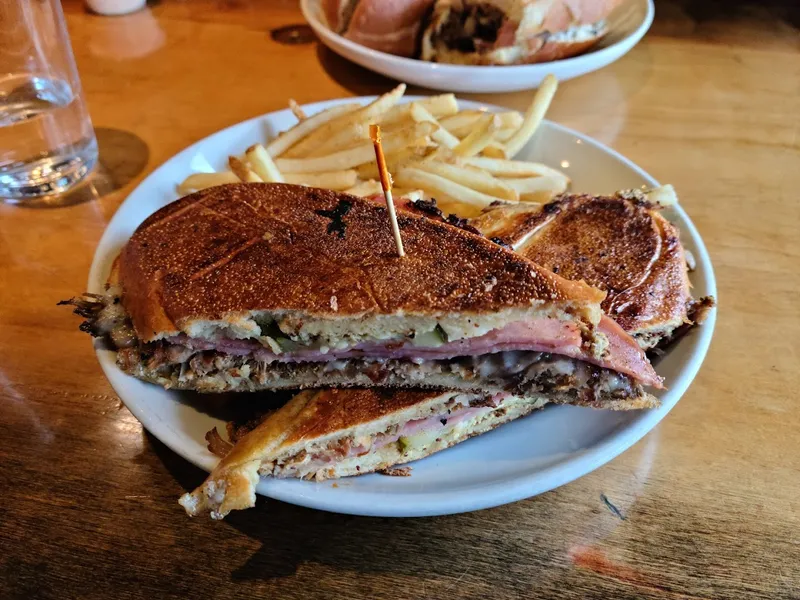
[391, 26]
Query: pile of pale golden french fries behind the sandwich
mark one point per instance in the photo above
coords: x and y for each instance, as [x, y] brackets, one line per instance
[462, 158]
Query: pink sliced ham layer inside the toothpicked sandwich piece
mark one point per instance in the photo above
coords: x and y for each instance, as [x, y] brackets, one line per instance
[537, 335]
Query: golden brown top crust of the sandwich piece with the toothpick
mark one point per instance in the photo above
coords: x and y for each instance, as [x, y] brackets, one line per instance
[247, 247]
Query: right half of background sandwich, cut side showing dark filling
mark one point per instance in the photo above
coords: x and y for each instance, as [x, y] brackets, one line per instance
[512, 32]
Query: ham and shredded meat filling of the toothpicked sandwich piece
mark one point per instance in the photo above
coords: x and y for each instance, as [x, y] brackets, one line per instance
[523, 358]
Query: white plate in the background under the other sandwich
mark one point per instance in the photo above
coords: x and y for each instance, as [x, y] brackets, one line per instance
[627, 25]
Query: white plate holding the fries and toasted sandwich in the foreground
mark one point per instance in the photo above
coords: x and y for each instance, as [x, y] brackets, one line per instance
[521, 459]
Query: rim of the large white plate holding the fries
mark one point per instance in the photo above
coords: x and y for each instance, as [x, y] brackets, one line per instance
[367, 503]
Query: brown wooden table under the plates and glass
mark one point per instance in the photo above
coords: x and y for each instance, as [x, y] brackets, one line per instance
[707, 504]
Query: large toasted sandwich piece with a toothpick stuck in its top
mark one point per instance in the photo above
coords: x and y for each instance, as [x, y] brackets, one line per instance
[249, 287]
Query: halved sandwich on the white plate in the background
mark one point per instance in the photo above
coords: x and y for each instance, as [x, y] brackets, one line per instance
[473, 32]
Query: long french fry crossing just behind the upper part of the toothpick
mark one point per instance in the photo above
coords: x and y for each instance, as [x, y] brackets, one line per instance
[359, 154]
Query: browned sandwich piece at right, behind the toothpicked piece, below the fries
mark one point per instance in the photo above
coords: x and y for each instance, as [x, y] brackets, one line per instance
[620, 244]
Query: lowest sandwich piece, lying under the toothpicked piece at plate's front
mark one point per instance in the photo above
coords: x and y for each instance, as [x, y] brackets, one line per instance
[327, 434]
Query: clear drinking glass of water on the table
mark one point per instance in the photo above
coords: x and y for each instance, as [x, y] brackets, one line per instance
[47, 143]
